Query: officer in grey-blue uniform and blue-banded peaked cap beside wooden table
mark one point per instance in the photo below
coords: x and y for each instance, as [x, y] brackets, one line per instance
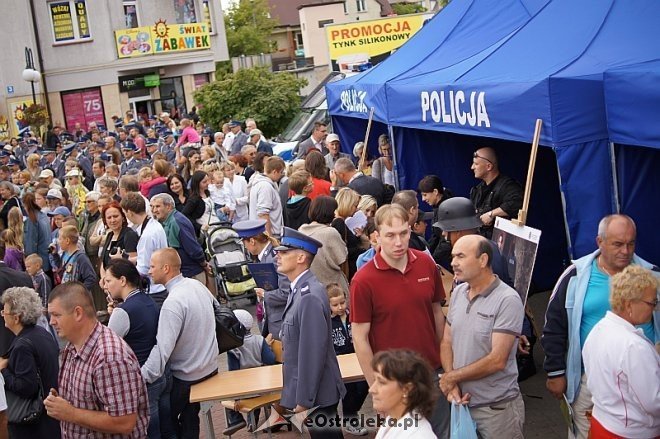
[311, 374]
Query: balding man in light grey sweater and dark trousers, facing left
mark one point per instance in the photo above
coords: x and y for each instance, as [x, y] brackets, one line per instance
[185, 339]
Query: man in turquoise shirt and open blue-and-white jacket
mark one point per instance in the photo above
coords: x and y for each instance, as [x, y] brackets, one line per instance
[579, 300]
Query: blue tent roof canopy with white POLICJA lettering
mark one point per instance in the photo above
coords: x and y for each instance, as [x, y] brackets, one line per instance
[496, 83]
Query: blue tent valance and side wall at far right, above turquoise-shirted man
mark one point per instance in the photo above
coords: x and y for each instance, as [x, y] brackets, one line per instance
[632, 100]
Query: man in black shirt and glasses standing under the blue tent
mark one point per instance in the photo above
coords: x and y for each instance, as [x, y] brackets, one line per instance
[497, 194]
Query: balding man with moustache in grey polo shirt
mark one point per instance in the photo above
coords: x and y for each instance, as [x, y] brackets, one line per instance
[478, 349]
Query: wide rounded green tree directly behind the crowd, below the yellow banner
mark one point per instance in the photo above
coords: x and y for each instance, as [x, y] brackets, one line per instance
[270, 98]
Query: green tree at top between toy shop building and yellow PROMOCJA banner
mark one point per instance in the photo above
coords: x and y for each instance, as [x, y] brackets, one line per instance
[248, 27]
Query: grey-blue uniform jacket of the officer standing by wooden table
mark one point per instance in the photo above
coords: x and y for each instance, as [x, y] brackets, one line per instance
[310, 371]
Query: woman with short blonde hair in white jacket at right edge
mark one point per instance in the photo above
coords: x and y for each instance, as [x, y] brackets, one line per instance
[622, 365]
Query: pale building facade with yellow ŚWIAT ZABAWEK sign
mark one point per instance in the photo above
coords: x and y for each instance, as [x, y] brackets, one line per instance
[103, 58]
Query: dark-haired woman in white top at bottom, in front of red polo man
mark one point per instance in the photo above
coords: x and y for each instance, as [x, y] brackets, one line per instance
[403, 392]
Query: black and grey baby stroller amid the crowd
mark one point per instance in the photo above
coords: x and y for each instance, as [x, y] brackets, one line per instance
[230, 265]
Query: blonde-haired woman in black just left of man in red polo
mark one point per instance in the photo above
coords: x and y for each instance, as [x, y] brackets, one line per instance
[347, 204]
